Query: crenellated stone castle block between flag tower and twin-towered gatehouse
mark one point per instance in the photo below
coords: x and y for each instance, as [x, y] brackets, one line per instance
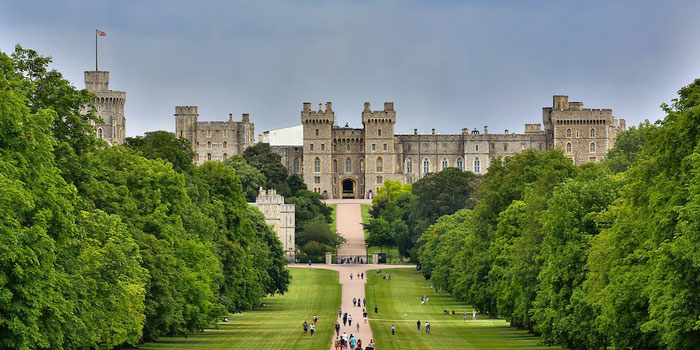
[216, 140]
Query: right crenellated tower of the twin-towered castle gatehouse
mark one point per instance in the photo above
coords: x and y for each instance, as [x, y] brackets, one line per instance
[380, 155]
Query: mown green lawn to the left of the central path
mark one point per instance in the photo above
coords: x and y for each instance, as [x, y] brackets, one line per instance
[278, 325]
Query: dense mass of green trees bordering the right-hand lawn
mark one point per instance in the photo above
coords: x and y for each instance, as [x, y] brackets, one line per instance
[591, 256]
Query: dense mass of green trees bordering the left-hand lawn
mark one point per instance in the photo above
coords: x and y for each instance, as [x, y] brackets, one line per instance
[104, 246]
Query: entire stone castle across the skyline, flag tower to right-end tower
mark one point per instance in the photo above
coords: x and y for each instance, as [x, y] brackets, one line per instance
[344, 162]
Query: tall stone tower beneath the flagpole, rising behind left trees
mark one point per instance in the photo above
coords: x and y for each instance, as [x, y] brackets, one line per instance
[110, 107]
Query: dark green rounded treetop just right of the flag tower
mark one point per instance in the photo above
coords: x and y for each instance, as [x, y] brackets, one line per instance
[164, 145]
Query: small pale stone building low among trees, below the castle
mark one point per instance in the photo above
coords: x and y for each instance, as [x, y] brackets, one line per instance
[279, 216]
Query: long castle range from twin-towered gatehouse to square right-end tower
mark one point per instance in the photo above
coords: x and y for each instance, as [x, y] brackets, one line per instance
[346, 162]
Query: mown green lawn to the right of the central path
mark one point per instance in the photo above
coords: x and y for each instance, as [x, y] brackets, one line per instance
[403, 294]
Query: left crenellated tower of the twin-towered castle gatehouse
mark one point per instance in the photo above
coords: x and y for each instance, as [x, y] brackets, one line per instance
[318, 127]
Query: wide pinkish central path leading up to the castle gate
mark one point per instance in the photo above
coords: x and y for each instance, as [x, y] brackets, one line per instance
[349, 225]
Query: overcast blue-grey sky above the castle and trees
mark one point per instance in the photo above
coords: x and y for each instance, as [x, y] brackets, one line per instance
[445, 64]
